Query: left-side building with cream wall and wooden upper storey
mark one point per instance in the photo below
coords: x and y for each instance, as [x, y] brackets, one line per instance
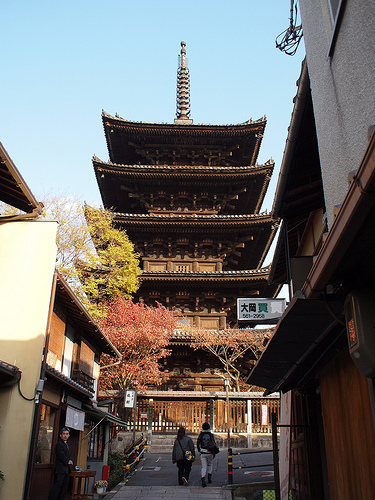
[49, 353]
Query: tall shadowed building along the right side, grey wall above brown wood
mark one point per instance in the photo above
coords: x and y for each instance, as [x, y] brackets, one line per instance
[321, 354]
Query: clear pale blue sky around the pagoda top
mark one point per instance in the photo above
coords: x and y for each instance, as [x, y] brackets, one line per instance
[63, 62]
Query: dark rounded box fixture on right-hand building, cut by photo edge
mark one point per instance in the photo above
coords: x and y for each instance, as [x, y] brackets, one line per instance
[360, 328]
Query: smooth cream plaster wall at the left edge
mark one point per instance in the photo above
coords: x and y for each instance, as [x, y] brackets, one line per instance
[27, 262]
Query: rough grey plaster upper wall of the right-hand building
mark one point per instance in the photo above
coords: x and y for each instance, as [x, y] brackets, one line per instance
[342, 89]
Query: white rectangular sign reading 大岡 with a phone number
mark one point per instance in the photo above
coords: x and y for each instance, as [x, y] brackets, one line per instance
[260, 310]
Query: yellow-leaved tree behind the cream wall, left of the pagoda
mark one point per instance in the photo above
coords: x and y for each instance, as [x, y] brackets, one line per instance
[97, 260]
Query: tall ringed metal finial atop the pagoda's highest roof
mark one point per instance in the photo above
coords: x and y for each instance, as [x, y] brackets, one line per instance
[183, 89]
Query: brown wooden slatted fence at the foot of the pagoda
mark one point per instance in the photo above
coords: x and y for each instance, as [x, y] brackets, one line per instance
[245, 415]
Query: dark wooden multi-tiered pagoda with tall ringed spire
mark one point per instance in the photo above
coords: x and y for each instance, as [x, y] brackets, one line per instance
[189, 197]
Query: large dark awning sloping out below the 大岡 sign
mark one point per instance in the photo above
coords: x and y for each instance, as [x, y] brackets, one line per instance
[304, 324]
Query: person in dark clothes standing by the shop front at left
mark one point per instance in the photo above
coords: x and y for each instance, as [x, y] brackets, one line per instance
[62, 466]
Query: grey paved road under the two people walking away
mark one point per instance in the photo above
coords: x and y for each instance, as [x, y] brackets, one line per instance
[156, 478]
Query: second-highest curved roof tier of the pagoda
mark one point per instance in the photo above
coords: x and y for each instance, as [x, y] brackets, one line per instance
[117, 182]
